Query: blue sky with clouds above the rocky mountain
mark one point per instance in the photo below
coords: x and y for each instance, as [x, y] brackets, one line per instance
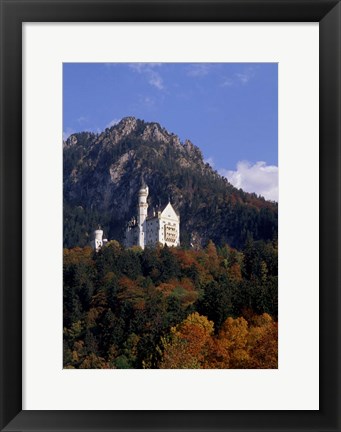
[229, 110]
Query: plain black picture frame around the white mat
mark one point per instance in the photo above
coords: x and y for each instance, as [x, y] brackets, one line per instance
[13, 14]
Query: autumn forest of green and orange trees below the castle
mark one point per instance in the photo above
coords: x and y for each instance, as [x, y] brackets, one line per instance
[172, 308]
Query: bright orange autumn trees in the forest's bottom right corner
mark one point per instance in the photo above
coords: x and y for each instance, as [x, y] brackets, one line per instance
[239, 344]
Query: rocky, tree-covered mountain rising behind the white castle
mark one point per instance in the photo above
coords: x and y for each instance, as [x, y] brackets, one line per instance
[103, 173]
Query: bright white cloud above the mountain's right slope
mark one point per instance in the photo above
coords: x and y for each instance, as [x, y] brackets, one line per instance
[259, 178]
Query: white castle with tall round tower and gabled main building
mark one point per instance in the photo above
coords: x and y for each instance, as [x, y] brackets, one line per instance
[158, 226]
